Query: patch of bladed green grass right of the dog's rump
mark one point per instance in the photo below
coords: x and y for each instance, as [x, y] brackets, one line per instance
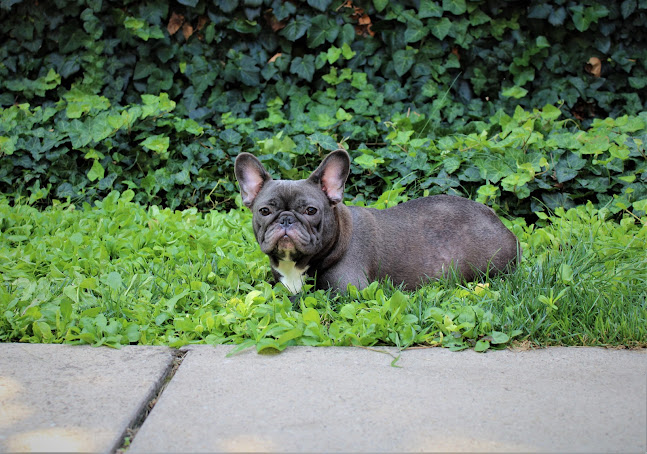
[584, 282]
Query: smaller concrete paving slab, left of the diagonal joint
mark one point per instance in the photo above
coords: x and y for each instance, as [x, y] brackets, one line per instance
[74, 398]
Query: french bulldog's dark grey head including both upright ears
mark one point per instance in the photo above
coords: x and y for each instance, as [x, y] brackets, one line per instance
[293, 220]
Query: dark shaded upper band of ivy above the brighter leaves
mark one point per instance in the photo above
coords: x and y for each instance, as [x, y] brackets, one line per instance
[463, 59]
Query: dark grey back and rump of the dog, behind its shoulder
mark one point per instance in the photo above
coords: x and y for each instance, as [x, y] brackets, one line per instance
[424, 238]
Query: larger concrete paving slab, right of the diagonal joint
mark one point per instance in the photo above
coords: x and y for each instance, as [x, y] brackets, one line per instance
[353, 400]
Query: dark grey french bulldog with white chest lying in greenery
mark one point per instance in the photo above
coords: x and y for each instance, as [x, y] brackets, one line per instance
[306, 230]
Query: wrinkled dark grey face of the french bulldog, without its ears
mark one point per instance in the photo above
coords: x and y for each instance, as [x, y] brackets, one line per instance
[288, 219]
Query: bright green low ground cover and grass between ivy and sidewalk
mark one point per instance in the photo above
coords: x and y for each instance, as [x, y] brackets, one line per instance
[119, 273]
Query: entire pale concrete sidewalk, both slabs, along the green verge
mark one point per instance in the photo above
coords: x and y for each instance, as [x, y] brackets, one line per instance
[72, 398]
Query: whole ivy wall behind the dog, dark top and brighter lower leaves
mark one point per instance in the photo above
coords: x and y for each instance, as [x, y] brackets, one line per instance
[436, 96]
